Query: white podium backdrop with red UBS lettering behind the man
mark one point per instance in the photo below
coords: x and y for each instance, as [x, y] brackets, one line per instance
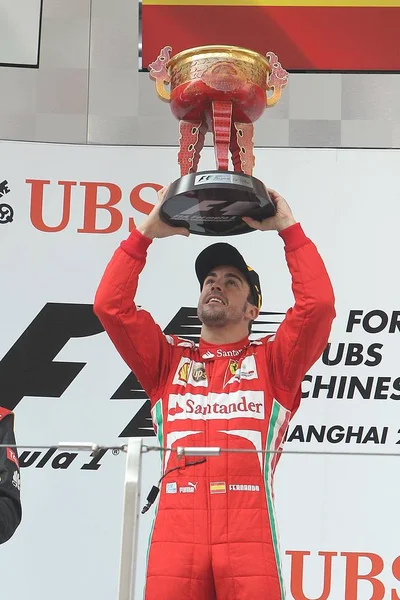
[348, 203]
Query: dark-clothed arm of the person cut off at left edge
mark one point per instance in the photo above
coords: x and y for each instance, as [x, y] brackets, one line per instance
[10, 502]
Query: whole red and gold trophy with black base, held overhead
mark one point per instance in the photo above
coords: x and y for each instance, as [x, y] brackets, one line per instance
[222, 90]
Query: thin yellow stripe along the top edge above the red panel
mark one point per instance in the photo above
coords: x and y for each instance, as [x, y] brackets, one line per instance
[292, 3]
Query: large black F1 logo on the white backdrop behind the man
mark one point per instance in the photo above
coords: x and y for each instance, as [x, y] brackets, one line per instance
[28, 368]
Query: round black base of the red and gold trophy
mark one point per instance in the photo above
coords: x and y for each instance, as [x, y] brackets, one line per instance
[214, 202]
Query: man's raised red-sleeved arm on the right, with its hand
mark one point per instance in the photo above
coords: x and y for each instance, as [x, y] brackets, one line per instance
[304, 333]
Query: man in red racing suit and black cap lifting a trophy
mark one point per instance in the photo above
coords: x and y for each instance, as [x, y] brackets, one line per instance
[215, 535]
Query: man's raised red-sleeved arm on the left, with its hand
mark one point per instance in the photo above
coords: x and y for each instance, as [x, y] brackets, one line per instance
[136, 336]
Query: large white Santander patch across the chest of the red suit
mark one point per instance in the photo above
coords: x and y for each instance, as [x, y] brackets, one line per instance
[240, 404]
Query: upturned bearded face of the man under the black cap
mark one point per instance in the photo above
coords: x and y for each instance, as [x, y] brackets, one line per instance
[224, 298]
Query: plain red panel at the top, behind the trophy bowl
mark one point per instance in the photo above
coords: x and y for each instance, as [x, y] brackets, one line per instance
[304, 37]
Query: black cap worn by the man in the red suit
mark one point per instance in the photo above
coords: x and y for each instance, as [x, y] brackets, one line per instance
[221, 254]
